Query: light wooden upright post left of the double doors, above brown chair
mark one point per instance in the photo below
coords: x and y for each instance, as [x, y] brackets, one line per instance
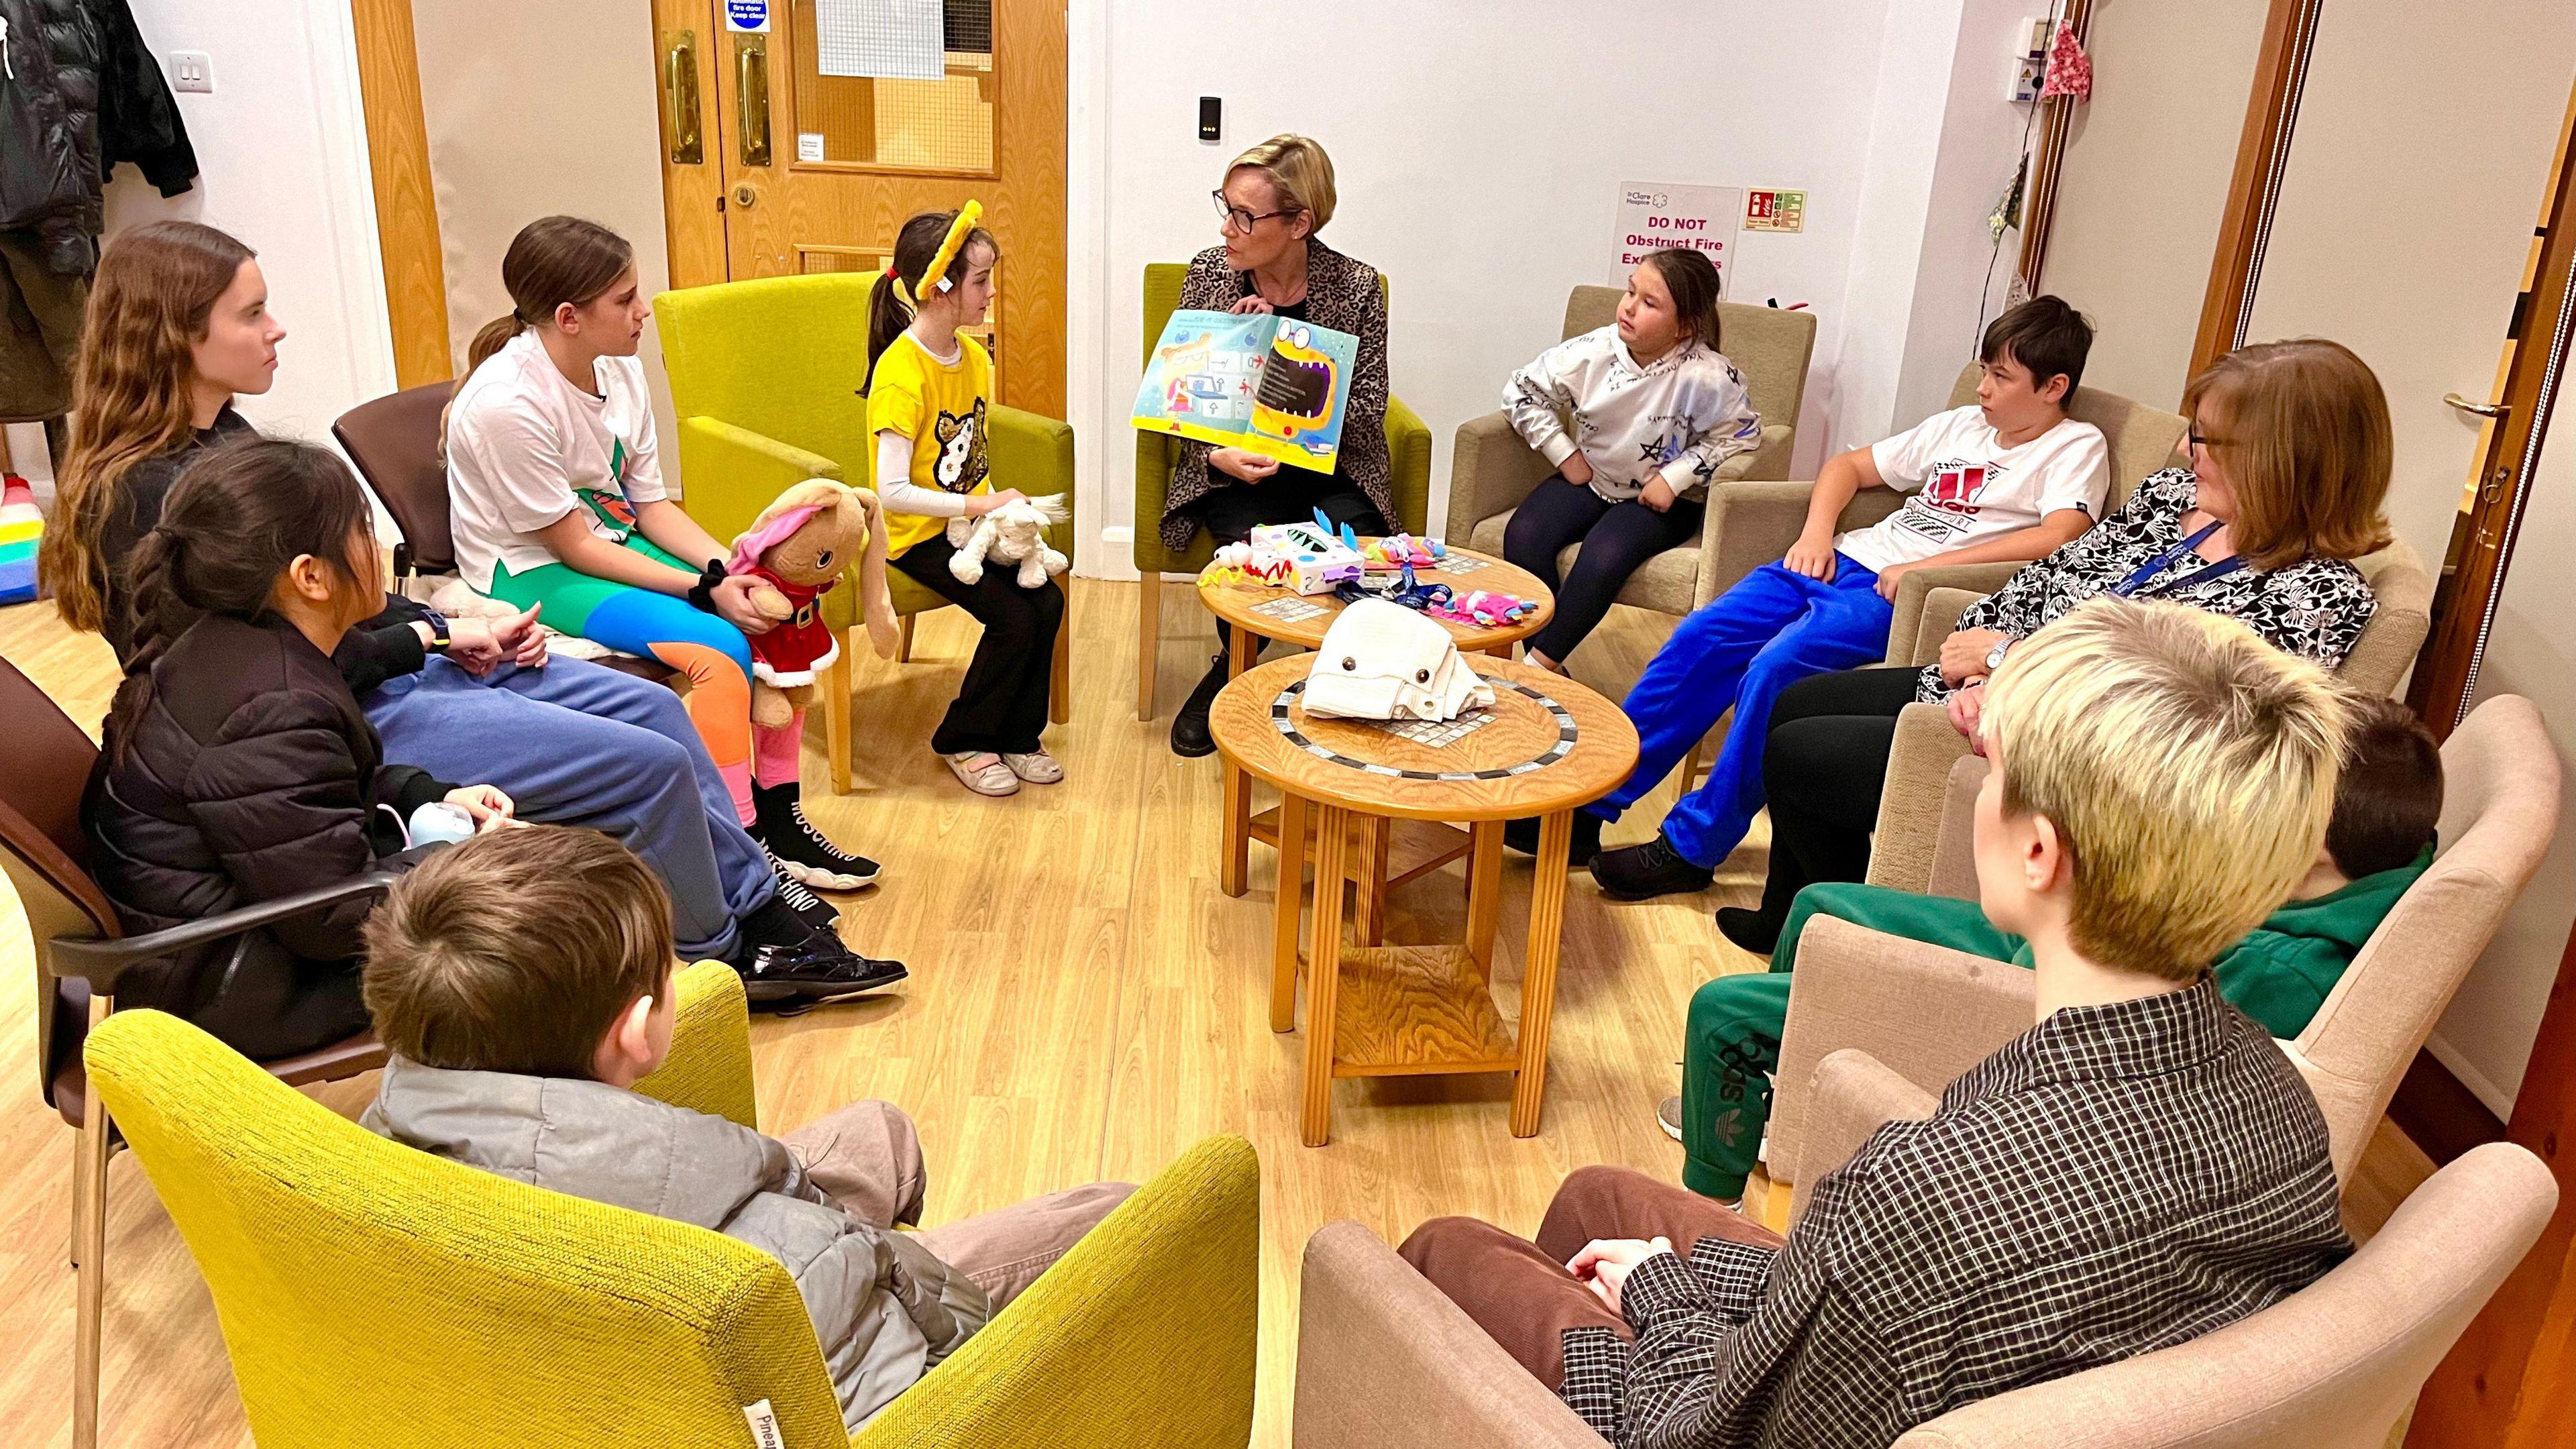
[398, 159]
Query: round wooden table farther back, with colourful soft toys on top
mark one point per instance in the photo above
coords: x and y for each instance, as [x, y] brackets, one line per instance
[1390, 855]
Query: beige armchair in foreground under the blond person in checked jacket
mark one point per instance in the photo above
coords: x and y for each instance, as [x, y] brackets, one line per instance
[1390, 1363]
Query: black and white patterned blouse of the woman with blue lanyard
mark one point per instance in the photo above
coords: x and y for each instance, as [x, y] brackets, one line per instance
[2312, 610]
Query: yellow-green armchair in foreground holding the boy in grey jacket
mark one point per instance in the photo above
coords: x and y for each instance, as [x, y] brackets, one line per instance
[390, 1298]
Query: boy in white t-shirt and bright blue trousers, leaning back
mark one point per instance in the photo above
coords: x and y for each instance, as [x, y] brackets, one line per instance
[2003, 481]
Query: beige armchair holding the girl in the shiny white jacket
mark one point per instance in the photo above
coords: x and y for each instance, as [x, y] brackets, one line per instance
[1493, 471]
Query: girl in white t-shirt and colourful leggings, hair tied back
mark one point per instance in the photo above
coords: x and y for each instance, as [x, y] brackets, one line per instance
[558, 499]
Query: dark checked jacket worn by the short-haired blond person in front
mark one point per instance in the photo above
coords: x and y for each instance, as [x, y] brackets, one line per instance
[2114, 1182]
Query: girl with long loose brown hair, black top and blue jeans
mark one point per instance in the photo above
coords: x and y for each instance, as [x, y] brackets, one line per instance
[179, 324]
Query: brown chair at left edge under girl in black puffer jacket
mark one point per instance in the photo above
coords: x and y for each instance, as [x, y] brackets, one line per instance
[84, 953]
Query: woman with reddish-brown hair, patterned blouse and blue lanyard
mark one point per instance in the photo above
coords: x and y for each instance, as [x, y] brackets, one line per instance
[2289, 468]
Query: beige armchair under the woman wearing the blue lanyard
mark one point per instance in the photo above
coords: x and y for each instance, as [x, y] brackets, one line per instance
[1928, 744]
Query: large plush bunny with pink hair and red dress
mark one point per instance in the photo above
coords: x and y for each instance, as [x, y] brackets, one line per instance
[797, 550]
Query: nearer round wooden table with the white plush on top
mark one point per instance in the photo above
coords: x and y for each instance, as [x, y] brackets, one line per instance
[1544, 749]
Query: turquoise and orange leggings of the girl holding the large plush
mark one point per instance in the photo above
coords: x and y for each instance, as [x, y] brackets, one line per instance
[712, 654]
